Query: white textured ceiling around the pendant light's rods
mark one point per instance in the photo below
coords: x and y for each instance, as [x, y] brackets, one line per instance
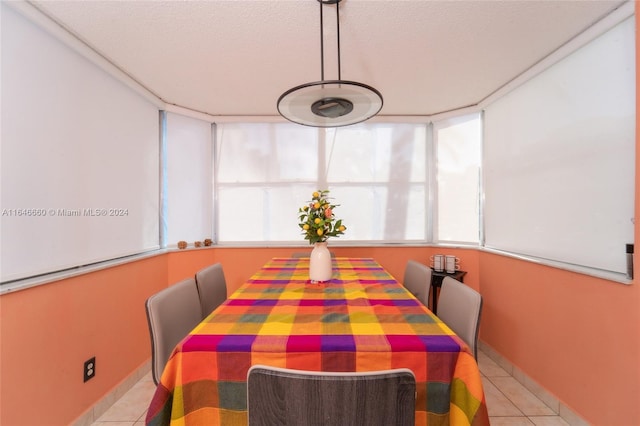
[237, 57]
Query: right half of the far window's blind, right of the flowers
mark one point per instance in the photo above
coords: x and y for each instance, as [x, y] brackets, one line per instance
[379, 172]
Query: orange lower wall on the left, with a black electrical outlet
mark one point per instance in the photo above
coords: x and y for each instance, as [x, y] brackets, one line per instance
[49, 331]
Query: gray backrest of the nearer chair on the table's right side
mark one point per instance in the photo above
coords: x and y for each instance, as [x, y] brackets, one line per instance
[460, 306]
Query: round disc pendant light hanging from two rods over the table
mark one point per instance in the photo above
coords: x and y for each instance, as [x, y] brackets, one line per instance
[330, 103]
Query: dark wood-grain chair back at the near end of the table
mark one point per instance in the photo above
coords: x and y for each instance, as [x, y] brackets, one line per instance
[278, 396]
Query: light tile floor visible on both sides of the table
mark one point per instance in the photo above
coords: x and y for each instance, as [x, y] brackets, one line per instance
[509, 403]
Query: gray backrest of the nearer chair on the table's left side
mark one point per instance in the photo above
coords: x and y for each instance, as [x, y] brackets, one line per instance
[171, 313]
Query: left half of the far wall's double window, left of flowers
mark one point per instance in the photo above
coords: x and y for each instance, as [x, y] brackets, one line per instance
[255, 167]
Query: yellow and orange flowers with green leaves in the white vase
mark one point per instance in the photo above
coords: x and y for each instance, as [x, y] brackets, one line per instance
[317, 220]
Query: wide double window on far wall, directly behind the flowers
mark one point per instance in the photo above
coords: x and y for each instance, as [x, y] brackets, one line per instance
[376, 172]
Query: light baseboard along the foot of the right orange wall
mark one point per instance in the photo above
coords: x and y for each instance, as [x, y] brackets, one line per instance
[534, 387]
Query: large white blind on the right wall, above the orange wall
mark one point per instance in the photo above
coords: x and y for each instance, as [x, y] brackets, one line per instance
[559, 156]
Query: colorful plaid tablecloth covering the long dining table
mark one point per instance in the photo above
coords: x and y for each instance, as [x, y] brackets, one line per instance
[361, 320]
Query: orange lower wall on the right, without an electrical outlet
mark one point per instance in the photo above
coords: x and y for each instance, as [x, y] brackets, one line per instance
[576, 335]
